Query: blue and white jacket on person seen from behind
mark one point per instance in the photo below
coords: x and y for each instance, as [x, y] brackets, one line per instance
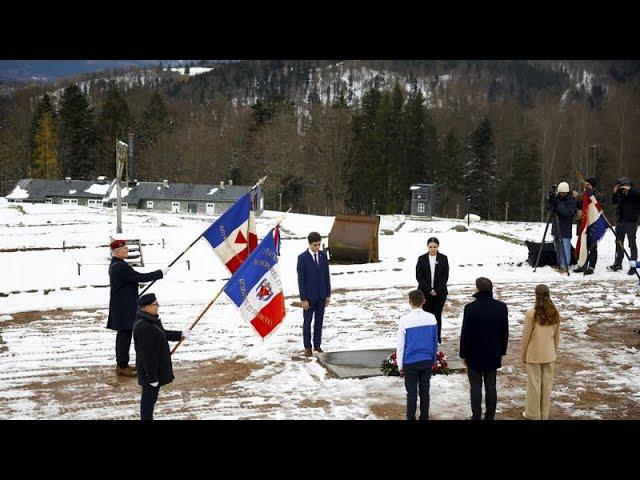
[417, 338]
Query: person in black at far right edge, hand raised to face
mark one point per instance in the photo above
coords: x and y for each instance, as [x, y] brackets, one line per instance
[628, 200]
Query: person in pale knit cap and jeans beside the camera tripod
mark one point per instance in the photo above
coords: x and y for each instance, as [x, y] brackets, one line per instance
[563, 207]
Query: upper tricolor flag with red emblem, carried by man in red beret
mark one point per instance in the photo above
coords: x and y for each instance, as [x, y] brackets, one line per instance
[233, 236]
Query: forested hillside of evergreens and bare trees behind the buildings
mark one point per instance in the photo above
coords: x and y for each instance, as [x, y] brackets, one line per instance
[496, 133]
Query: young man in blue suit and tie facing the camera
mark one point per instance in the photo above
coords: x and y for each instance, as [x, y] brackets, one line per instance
[315, 291]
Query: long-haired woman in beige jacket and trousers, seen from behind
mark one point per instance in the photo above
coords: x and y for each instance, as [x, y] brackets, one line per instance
[540, 340]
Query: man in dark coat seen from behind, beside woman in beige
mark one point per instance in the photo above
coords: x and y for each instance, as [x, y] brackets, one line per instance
[483, 343]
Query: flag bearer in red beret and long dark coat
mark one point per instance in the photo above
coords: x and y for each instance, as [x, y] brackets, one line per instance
[122, 302]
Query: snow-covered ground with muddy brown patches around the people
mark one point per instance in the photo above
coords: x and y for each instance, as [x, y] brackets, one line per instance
[56, 357]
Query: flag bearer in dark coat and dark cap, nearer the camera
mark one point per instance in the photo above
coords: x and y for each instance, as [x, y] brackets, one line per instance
[153, 358]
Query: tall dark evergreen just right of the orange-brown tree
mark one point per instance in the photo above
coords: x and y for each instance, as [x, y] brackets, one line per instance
[78, 135]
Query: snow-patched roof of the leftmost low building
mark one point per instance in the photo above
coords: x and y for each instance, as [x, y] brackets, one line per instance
[36, 189]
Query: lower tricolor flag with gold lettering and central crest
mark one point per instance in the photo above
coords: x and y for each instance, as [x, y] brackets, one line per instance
[256, 288]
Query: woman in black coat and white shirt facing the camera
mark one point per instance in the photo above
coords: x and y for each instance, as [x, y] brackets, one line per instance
[432, 273]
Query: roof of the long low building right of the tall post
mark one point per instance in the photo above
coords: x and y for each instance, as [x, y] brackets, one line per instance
[178, 191]
